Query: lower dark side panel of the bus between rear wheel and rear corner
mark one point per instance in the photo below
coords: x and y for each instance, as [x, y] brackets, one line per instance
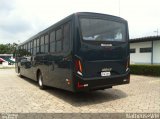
[57, 71]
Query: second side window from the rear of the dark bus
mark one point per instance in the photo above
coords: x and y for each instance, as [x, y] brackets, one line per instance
[59, 40]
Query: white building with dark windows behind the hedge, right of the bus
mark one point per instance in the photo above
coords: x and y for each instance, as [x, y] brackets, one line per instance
[145, 50]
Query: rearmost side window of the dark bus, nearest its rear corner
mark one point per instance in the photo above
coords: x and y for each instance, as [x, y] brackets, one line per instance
[66, 40]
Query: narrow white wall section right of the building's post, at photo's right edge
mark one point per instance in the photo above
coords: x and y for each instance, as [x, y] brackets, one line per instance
[156, 52]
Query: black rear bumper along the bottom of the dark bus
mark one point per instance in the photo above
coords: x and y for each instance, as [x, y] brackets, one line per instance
[87, 84]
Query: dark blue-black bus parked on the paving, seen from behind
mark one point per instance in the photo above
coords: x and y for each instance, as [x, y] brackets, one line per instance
[82, 52]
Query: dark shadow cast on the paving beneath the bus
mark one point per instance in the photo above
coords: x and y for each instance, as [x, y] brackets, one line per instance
[83, 98]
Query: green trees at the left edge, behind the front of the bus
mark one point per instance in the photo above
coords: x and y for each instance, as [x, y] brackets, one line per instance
[7, 48]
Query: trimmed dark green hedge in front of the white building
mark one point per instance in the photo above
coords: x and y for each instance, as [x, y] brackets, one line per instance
[150, 70]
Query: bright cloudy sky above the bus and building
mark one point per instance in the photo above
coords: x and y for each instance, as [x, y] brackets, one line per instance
[21, 19]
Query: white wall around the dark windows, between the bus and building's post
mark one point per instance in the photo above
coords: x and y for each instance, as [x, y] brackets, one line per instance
[140, 58]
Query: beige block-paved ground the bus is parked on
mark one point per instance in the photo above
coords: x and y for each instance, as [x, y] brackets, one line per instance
[23, 95]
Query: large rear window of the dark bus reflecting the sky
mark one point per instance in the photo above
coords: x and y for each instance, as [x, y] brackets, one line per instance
[102, 30]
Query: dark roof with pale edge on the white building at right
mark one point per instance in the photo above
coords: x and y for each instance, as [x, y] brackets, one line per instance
[144, 39]
